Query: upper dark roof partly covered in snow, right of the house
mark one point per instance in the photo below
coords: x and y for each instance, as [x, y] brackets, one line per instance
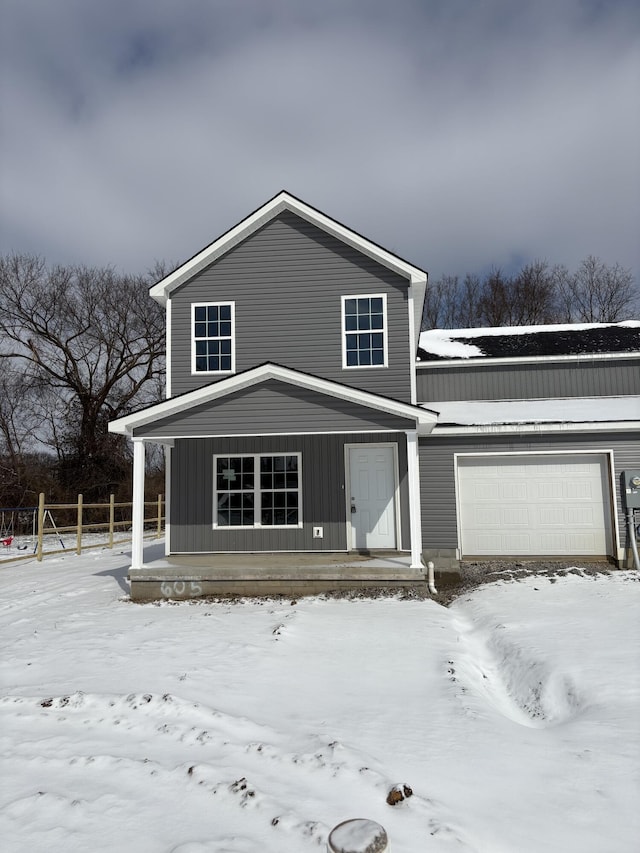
[527, 341]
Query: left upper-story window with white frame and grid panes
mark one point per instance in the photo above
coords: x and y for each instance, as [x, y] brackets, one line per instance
[213, 345]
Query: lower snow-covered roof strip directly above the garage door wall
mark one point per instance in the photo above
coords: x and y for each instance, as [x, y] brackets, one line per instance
[565, 410]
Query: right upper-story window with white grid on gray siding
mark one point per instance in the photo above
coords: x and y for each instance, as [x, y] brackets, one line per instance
[364, 331]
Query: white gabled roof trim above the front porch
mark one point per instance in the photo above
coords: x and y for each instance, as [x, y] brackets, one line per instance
[424, 418]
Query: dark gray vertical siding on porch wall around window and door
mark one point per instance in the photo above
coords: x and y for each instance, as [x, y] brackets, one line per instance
[323, 493]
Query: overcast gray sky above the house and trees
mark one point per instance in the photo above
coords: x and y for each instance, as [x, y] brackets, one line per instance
[458, 133]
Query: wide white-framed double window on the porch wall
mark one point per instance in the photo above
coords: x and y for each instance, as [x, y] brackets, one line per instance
[257, 490]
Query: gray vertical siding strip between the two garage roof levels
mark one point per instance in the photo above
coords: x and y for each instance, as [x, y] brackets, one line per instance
[606, 378]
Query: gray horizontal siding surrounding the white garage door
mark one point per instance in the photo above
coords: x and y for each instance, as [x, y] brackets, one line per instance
[438, 499]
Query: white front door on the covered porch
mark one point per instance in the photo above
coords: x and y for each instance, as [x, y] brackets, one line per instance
[372, 497]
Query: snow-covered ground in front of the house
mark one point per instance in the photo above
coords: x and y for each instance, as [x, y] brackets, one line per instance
[257, 727]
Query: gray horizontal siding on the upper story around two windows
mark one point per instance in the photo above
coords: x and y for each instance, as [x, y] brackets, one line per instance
[286, 280]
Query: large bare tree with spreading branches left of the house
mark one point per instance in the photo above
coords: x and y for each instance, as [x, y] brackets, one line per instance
[92, 342]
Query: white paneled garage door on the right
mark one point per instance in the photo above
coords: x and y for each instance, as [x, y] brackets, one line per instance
[534, 505]
